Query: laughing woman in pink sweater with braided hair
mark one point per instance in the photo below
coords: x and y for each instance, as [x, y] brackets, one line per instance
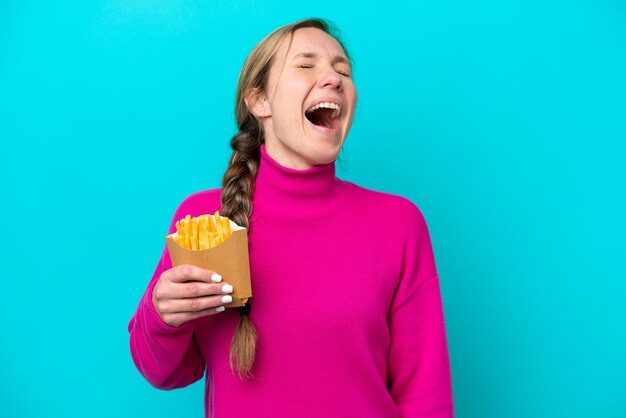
[346, 294]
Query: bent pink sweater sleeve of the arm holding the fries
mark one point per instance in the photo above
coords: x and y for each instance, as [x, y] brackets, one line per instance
[168, 357]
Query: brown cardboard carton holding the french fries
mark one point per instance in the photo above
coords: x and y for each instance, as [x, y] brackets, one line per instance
[229, 259]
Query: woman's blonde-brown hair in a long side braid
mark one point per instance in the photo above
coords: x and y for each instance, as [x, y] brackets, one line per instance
[238, 180]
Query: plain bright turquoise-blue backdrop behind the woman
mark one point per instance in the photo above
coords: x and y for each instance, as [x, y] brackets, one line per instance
[504, 122]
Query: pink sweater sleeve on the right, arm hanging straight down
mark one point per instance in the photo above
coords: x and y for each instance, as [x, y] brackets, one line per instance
[418, 364]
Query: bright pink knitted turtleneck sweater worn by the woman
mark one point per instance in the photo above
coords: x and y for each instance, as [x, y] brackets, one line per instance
[346, 302]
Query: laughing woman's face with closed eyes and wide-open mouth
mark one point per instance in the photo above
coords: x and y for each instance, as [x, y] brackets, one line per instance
[308, 105]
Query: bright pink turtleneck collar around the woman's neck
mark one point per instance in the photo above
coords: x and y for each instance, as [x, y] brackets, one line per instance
[278, 187]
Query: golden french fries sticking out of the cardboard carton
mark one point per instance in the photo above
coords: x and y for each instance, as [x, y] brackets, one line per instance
[202, 232]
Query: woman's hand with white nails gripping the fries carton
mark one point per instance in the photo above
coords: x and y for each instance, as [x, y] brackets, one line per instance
[188, 292]
